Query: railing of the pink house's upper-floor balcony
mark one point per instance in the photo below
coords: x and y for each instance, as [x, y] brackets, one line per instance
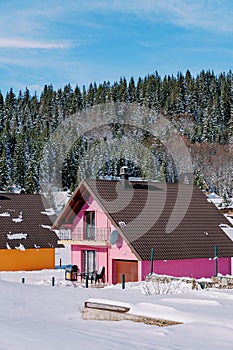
[99, 234]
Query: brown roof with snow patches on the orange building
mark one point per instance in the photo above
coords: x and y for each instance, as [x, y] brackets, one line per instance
[25, 222]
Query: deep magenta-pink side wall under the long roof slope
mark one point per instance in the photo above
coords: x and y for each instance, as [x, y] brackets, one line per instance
[195, 268]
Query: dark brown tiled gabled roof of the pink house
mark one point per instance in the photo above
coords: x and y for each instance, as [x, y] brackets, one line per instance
[149, 215]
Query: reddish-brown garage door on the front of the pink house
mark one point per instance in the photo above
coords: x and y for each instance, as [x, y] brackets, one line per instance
[128, 268]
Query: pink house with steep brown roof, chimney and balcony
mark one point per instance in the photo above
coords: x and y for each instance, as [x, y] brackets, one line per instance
[116, 224]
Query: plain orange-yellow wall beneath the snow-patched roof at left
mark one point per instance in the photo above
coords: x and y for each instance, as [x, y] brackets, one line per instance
[27, 260]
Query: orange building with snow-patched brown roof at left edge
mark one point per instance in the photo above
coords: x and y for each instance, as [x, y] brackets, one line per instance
[26, 241]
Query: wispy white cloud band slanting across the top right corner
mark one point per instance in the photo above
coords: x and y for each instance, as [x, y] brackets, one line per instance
[213, 15]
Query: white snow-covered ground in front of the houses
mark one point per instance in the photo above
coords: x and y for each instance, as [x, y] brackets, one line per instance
[36, 315]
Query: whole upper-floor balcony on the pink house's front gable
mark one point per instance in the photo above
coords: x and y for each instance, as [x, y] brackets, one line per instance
[100, 236]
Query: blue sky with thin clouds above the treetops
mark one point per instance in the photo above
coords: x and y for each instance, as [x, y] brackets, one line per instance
[78, 41]
